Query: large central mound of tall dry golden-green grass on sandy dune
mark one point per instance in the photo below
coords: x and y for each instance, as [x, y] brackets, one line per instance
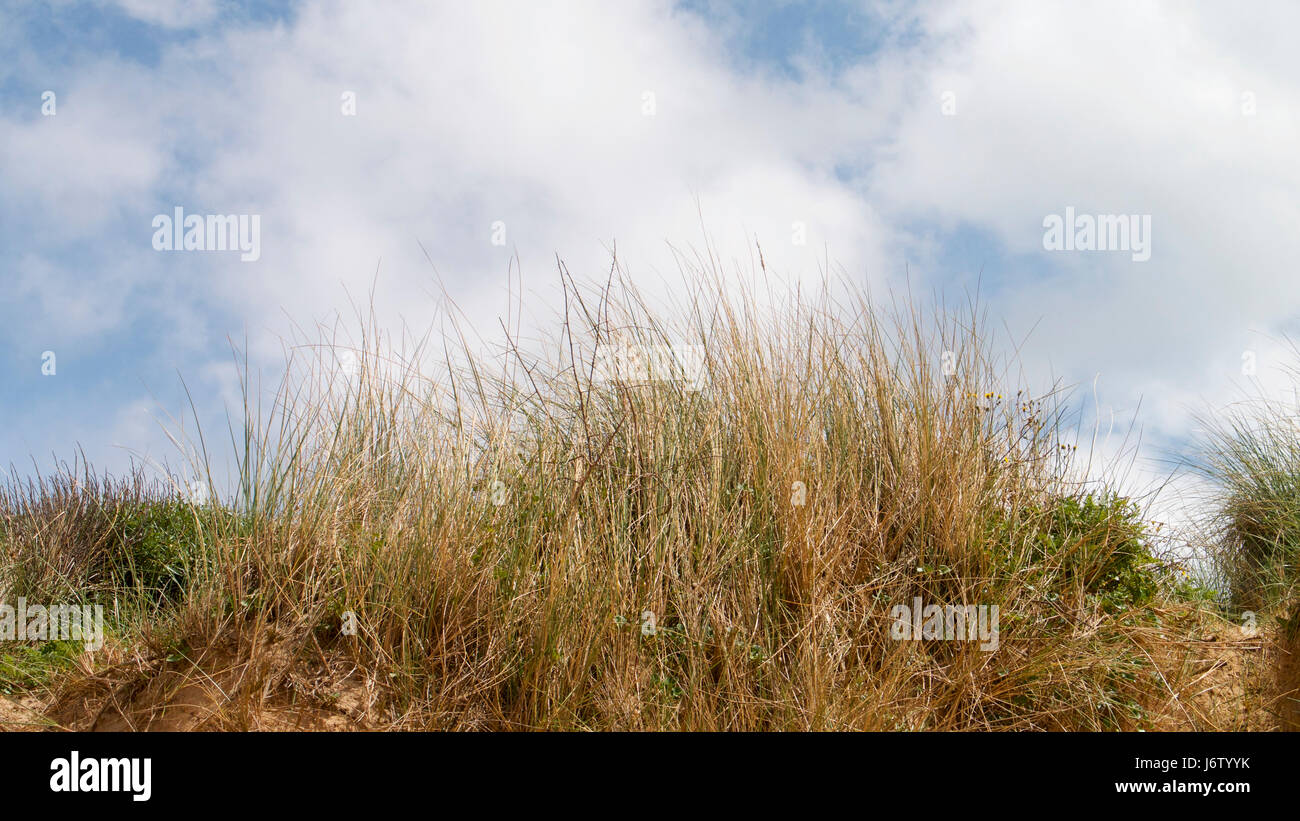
[530, 546]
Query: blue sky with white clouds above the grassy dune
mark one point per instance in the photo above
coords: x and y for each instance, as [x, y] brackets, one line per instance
[917, 147]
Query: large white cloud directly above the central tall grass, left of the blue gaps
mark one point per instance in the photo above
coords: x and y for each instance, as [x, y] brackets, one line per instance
[496, 112]
